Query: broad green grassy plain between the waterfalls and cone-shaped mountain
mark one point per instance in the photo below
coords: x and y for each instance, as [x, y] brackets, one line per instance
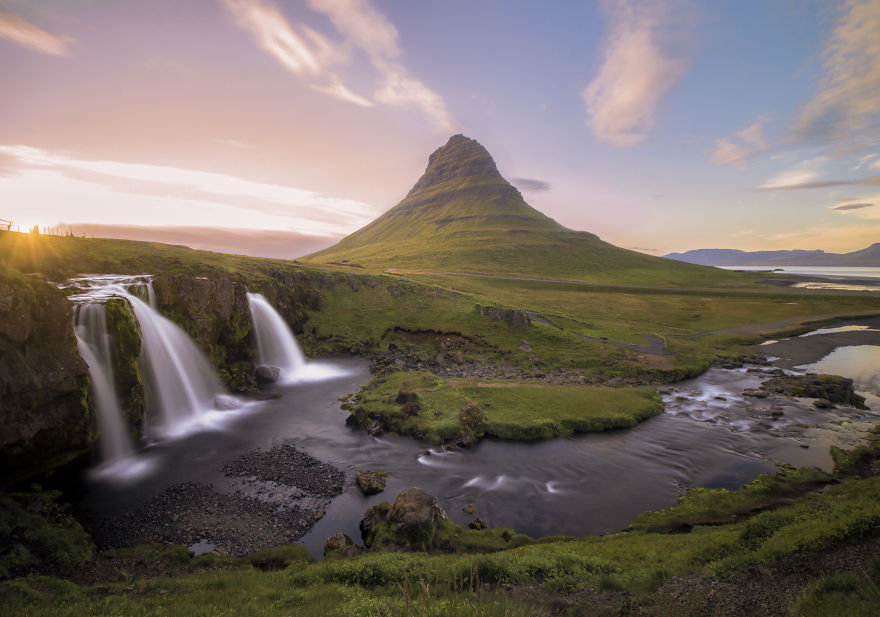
[341, 309]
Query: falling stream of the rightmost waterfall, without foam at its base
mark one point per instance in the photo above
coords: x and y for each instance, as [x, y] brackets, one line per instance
[275, 342]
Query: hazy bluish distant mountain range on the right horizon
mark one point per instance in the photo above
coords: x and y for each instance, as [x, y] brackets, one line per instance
[869, 257]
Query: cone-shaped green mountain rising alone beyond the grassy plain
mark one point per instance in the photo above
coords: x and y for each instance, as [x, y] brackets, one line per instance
[463, 216]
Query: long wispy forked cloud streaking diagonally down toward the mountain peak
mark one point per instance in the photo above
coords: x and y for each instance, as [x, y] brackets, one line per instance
[310, 55]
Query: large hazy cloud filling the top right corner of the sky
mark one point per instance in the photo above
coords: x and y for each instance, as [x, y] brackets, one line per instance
[846, 105]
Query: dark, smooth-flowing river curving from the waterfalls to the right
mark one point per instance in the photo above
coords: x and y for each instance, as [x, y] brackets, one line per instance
[710, 436]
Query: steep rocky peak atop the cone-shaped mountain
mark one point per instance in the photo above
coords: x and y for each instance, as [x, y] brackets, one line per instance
[461, 159]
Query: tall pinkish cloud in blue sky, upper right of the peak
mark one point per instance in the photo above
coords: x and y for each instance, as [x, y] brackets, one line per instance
[640, 64]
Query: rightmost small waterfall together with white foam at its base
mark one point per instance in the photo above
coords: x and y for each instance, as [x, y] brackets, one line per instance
[277, 345]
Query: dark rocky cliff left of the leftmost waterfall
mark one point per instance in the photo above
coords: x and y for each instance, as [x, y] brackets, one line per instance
[44, 413]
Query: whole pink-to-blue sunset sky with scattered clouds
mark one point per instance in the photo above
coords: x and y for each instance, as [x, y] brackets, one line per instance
[275, 127]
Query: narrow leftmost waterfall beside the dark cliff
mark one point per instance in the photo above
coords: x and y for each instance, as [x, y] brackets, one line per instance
[93, 340]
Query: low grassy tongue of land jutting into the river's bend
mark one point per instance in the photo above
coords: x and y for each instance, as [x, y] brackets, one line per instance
[509, 408]
